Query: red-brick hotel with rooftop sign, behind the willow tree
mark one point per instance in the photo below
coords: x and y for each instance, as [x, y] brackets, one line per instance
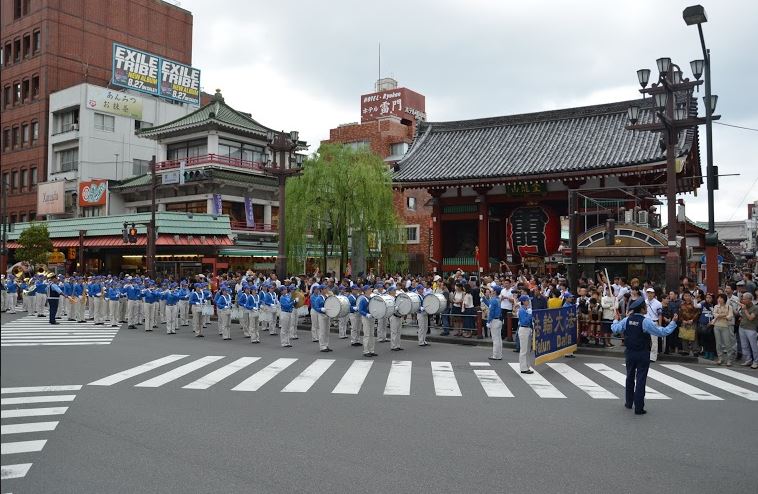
[388, 125]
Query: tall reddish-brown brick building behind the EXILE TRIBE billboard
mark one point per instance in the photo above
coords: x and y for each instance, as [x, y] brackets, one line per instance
[49, 45]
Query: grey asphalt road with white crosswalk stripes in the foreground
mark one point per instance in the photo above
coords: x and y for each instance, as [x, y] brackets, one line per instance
[293, 433]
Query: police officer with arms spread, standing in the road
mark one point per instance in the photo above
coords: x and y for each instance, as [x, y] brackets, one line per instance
[637, 331]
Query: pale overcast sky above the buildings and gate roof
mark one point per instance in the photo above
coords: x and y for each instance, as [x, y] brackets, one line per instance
[303, 65]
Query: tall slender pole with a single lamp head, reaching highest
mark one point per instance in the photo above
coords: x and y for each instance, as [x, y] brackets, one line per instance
[695, 14]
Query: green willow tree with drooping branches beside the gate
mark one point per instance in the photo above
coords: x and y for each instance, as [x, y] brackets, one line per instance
[343, 195]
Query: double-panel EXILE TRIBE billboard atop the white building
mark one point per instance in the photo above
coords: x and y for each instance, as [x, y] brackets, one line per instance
[152, 74]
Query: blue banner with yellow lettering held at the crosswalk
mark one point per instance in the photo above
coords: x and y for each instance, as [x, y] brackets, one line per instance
[554, 333]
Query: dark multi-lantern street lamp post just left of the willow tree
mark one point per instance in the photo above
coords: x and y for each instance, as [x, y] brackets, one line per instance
[285, 144]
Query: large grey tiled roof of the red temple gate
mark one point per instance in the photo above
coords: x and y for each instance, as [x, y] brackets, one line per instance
[533, 144]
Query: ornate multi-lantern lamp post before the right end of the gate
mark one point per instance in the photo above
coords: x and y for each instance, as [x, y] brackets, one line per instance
[672, 95]
